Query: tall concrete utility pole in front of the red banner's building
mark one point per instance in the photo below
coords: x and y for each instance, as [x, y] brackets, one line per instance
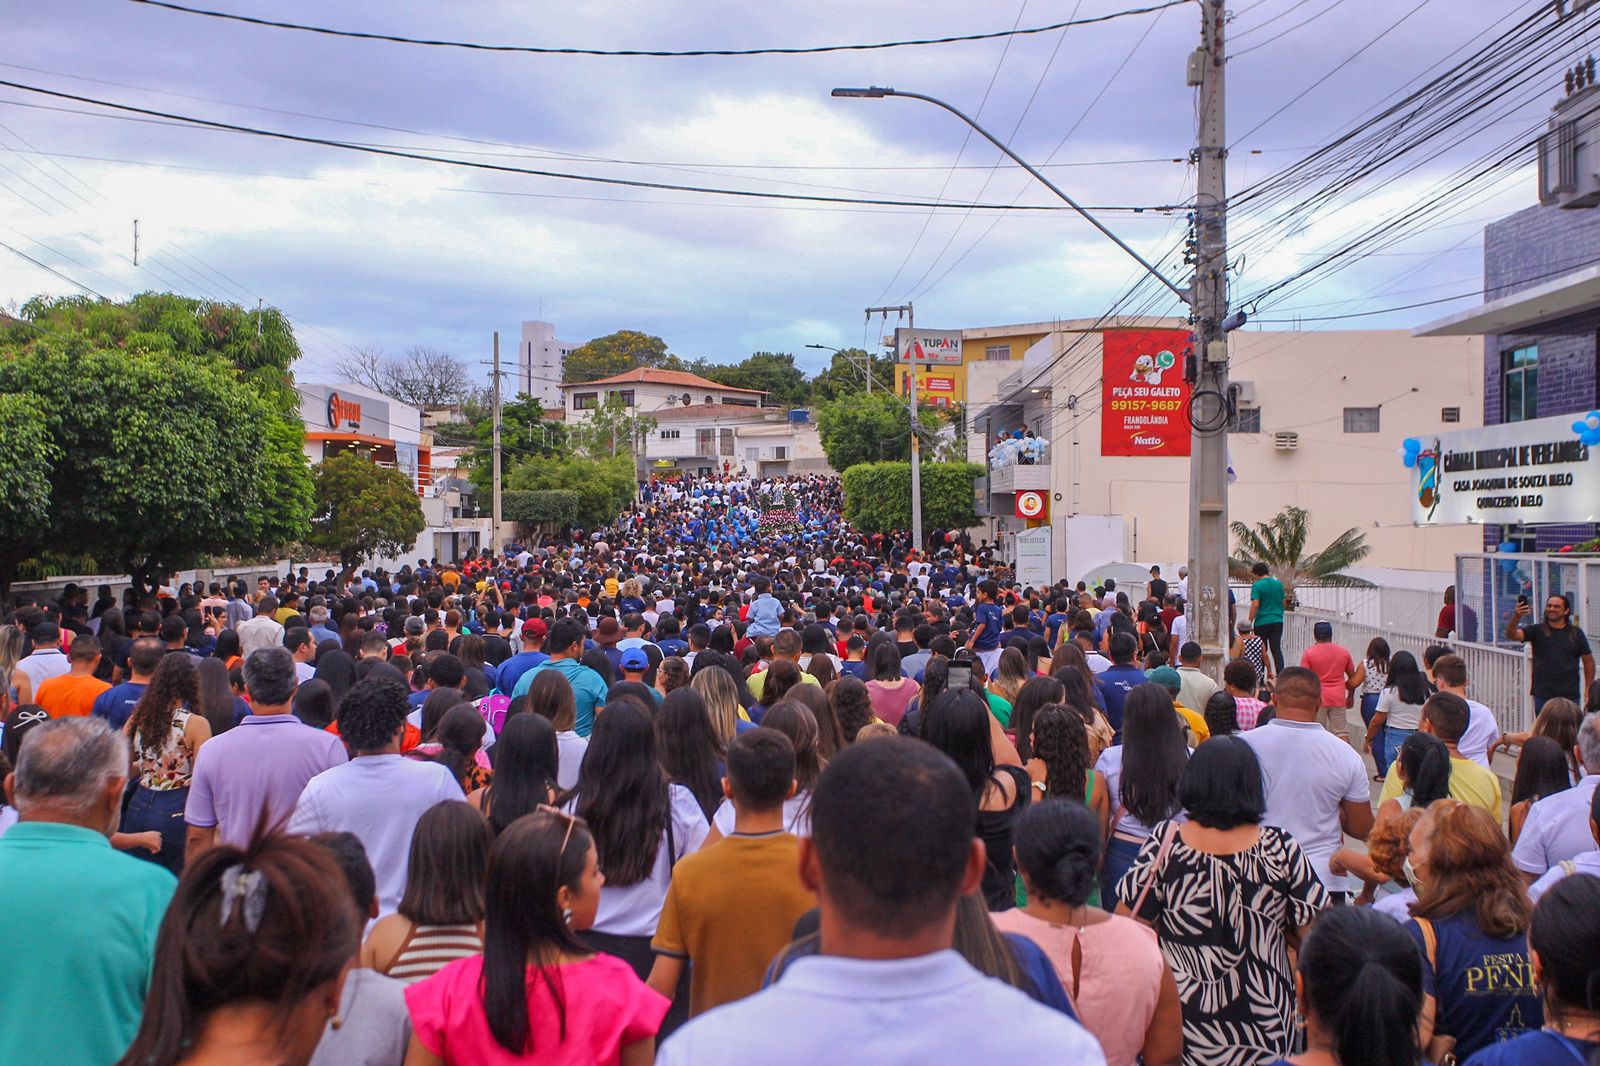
[1210, 409]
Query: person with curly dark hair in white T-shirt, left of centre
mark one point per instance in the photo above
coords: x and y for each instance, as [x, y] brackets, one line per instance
[380, 795]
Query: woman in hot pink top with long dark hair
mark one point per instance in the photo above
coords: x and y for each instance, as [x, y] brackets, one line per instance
[537, 995]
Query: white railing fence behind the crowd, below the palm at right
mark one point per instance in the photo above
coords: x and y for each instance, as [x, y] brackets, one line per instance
[1497, 678]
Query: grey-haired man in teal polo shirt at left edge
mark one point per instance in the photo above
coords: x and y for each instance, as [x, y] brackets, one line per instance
[79, 921]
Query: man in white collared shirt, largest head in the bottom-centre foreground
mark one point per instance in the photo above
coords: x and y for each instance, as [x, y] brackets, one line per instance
[892, 852]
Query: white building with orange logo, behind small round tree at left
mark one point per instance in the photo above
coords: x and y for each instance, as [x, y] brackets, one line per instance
[345, 417]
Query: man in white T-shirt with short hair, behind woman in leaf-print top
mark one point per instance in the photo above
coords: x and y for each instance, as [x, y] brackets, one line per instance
[1316, 783]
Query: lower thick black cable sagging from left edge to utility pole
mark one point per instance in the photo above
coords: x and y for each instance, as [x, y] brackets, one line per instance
[631, 183]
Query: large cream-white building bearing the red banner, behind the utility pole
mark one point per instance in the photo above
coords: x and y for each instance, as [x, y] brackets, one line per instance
[1319, 425]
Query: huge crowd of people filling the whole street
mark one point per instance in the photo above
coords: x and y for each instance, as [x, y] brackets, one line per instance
[730, 782]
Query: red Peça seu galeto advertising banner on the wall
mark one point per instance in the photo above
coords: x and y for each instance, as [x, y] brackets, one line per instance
[1146, 399]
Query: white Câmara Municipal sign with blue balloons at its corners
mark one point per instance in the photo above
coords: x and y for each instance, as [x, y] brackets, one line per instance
[1540, 471]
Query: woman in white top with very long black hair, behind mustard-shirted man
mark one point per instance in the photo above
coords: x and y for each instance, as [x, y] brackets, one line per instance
[642, 825]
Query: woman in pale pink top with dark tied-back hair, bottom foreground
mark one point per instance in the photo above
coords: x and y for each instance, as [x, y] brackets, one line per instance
[1110, 966]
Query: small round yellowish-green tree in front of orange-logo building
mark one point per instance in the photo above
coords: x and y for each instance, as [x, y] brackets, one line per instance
[364, 511]
